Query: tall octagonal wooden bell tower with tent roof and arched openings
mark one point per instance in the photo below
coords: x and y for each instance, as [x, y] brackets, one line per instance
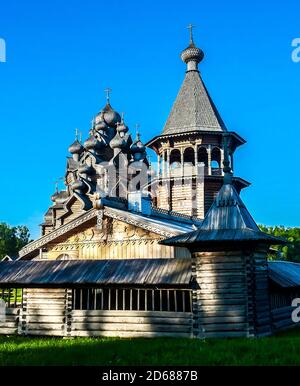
[190, 149]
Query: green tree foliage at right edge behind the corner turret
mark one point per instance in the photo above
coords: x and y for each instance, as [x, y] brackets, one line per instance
[291, 251]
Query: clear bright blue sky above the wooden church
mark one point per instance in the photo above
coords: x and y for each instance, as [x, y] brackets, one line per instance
[62, 54]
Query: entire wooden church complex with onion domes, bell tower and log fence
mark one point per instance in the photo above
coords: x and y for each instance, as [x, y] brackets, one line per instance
[127, 249]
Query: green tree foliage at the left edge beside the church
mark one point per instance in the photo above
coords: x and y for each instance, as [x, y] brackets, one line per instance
[12, 239]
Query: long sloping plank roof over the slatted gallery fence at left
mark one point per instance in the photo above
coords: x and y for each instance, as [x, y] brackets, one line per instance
[143, 272]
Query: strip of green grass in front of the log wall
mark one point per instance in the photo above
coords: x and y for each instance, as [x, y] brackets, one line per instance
[282, 349]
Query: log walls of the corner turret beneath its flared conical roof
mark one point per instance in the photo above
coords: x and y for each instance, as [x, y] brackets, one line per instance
[230, 297]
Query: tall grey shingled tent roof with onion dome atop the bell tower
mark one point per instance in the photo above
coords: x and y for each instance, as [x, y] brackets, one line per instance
[193, 108]
